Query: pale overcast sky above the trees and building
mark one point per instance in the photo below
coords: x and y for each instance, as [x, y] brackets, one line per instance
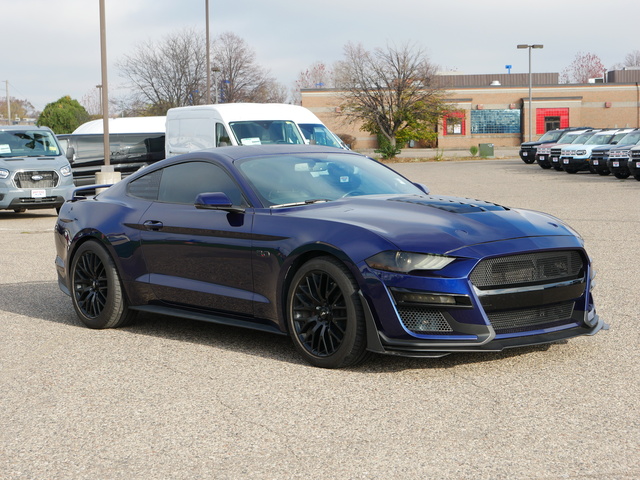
[51, 48]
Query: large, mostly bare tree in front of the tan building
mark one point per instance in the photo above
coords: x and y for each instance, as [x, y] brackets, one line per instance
[390, 90]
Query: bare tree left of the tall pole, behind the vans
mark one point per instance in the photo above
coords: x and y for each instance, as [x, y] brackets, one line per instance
[169, 74]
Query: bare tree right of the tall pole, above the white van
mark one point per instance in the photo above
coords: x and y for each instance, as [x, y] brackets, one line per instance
[239, 77]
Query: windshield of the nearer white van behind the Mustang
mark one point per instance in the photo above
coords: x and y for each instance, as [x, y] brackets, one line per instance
[265, 132]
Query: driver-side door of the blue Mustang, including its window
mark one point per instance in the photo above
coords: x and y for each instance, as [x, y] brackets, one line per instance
[198, 258]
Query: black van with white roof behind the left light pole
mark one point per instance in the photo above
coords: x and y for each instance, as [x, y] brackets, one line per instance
[134, 142]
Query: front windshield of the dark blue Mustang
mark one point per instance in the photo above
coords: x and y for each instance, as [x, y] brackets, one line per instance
[306, 178]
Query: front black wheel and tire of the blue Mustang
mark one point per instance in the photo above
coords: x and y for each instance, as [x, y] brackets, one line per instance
[324, 315]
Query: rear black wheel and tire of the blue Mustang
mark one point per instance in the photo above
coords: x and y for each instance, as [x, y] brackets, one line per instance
[96, 290]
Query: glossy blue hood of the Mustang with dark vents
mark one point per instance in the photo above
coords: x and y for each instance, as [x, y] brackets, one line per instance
[437, 224]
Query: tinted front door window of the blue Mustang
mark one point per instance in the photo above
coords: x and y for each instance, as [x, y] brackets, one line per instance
[183, 182]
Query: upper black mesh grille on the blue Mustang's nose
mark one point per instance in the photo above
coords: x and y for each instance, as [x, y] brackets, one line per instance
[528, 269]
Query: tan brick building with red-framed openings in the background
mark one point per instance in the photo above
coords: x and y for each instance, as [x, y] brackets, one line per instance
[494, 109]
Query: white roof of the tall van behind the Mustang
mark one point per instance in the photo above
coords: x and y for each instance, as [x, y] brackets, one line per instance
[257, 111]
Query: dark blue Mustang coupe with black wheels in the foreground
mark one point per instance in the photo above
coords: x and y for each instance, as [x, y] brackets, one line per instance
[337, 250]
